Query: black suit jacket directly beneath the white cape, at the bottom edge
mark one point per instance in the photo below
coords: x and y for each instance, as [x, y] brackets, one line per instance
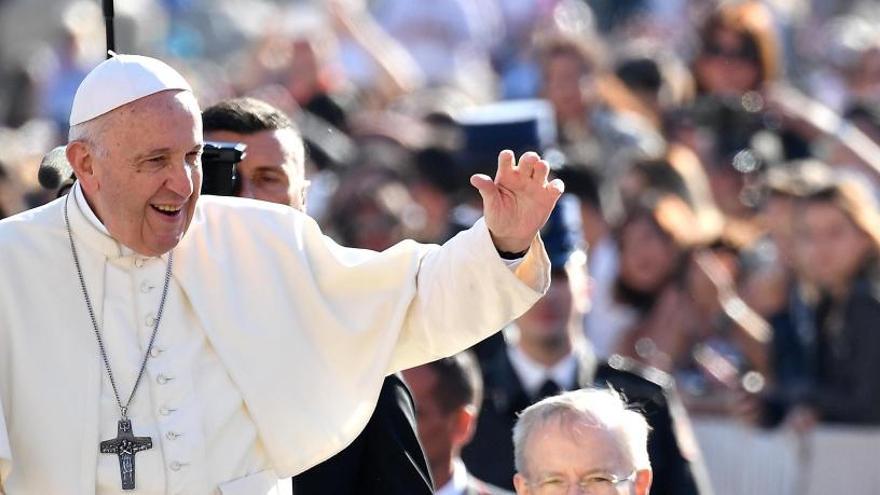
[385, 458]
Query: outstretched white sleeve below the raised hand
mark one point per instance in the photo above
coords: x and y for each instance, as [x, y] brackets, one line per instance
[466, 292]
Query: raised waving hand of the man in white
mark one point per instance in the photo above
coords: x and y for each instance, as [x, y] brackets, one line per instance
[518, 202]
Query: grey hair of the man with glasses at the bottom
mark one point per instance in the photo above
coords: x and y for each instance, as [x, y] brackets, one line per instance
[603, 408]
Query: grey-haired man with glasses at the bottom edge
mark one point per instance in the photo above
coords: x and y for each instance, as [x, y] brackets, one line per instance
[584, 442]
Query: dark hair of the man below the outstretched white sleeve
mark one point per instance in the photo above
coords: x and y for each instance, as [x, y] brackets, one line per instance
[458, 381]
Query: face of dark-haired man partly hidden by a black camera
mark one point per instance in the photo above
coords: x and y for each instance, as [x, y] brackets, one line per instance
[272, 169]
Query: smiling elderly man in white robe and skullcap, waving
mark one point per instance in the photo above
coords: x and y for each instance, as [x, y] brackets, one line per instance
[152, 341]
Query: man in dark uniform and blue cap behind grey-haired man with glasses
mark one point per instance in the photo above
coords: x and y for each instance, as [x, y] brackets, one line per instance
[546, 353]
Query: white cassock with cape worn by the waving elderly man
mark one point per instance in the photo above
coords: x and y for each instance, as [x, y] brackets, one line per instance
[270, 353]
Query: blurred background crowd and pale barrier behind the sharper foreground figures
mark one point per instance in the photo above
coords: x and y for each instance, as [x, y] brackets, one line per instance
[722, 159]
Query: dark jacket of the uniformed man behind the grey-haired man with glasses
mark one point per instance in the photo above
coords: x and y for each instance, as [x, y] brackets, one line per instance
[489, 456]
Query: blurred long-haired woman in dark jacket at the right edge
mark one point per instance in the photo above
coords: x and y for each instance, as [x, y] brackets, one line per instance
[837, 228]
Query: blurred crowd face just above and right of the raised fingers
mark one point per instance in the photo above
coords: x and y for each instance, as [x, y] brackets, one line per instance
[566, 86]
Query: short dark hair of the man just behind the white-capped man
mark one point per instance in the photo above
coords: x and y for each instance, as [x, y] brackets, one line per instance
[244, 116]
